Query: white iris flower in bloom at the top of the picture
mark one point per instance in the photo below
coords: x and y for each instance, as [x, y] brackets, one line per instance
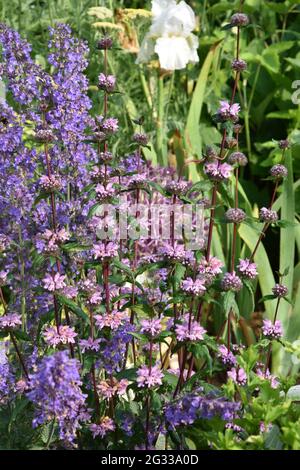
[170, 35]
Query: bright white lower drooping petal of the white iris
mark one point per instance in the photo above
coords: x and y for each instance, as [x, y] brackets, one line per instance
[174, 52]
